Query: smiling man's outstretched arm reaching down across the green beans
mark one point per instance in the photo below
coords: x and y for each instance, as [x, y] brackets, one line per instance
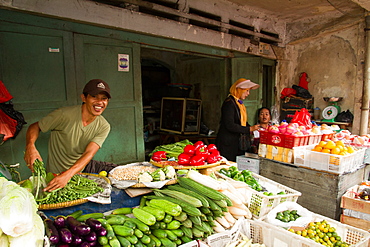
[62, 179]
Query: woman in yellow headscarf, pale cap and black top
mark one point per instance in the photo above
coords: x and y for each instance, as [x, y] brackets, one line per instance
[234, 121]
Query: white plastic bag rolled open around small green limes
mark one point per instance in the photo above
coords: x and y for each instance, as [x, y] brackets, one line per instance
[306, 215]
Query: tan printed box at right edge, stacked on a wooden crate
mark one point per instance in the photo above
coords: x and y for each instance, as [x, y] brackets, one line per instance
[350, 202]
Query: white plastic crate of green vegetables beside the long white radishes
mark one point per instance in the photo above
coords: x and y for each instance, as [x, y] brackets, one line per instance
[263, 193]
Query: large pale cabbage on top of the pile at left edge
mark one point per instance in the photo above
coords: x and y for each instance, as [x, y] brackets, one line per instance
[17, 209]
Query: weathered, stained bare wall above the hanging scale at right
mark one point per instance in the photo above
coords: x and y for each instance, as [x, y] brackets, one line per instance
[334, 63]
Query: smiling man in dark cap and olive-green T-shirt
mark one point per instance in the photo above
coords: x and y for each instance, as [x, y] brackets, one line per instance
[77, 133]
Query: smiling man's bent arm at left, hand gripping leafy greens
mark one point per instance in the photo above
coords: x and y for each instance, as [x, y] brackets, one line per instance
[31, 153]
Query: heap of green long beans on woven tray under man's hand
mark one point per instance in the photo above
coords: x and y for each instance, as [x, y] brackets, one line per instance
[77, 188]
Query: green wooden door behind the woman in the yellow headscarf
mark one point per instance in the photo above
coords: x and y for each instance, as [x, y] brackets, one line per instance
[249, 68]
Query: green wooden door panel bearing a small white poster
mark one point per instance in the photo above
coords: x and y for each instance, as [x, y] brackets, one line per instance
[117, 63]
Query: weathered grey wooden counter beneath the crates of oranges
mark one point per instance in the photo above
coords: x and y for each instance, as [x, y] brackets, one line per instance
[321, 191]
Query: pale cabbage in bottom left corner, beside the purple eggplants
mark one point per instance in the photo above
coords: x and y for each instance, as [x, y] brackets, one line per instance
[34, 238]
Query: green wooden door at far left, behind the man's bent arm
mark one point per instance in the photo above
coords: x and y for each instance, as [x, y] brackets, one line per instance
[35, 68]
